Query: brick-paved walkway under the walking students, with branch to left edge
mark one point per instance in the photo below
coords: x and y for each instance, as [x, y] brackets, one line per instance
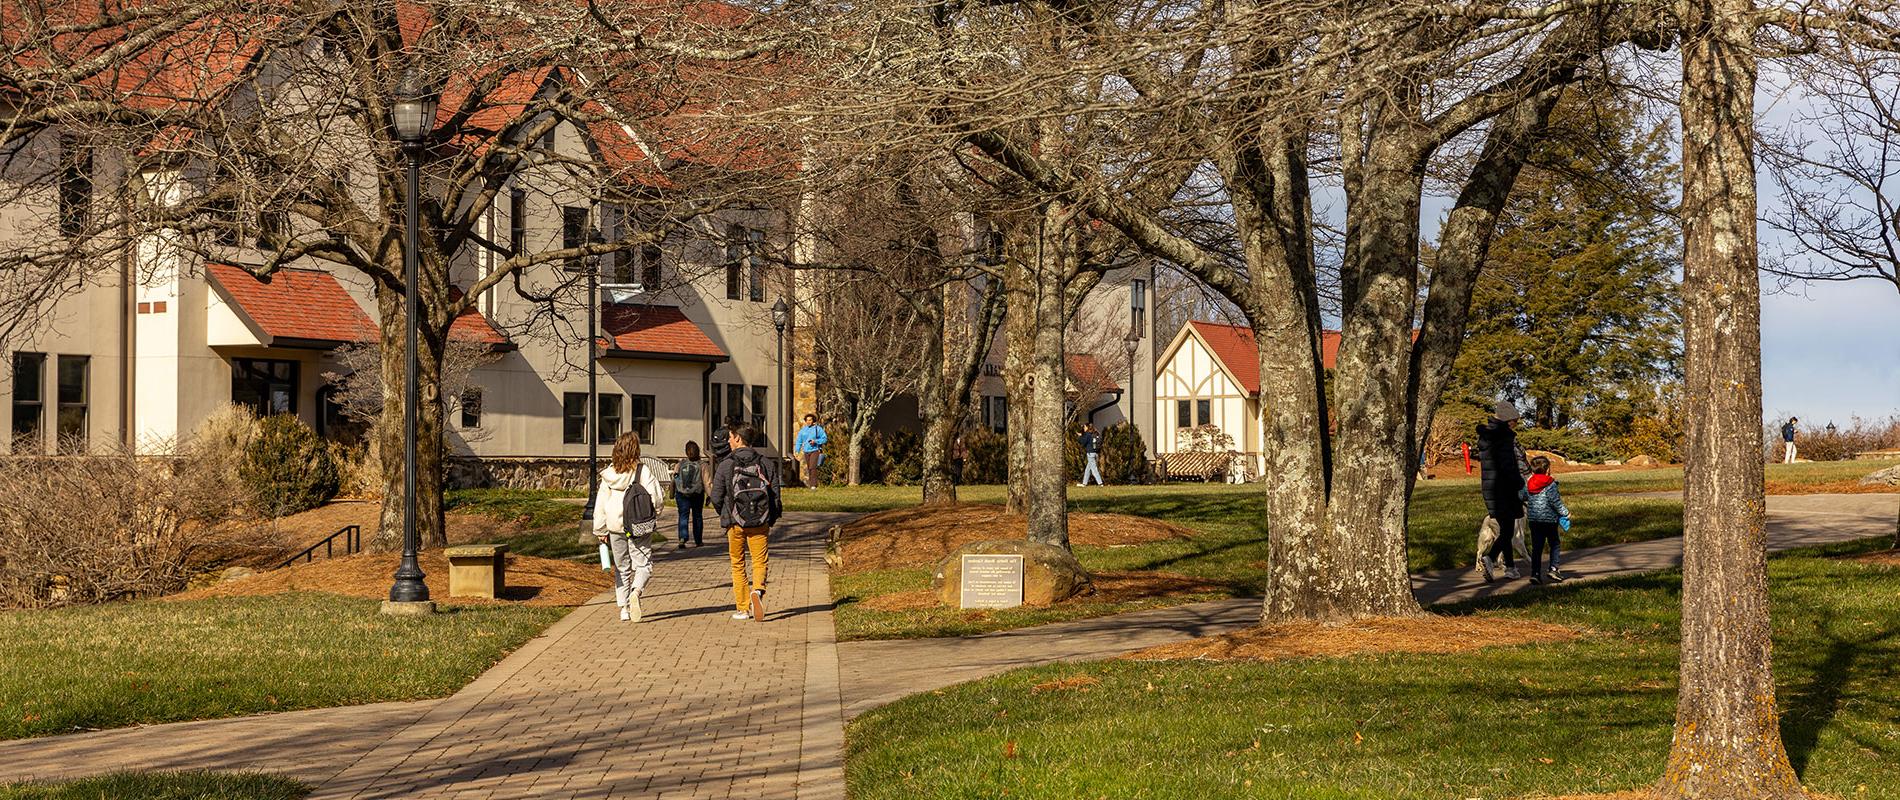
[687, 704]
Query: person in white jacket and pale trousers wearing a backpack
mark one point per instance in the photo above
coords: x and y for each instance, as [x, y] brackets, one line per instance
[626, 516]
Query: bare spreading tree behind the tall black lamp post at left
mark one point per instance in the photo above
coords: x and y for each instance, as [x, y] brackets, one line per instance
[265, 138]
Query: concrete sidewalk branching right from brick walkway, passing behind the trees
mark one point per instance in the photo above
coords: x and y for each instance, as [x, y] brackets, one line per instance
[877, 674]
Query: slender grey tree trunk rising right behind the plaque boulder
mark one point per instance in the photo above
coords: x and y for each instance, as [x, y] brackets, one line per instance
[1048, 381]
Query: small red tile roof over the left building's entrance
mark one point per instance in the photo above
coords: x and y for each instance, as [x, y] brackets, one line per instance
[295, 307]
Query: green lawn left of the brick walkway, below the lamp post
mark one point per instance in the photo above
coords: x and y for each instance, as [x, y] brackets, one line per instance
[164, 662]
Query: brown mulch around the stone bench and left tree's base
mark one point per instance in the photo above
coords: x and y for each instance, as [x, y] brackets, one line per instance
[537, 582]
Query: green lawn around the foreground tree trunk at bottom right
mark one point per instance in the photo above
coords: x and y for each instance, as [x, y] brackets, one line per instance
[1578, 717]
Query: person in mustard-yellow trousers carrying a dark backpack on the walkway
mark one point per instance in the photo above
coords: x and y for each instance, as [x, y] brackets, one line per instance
[746, 491]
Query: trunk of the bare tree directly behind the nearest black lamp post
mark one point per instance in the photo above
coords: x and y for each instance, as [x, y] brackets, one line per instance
[430, 529]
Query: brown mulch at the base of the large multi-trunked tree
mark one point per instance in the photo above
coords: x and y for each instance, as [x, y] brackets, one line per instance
[1378, 636]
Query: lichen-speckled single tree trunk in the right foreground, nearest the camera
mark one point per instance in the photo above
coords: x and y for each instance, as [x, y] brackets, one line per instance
[1728, 742]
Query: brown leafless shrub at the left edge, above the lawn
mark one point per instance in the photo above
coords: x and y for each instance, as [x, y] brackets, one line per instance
[79, 531]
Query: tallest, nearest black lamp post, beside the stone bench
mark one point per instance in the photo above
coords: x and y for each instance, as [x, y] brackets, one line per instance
[413, 119]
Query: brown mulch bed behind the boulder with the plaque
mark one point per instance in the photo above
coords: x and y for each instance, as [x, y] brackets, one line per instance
[922, 537]
